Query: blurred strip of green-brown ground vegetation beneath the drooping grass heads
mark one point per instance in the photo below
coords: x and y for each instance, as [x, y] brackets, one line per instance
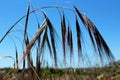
[104, 73]
